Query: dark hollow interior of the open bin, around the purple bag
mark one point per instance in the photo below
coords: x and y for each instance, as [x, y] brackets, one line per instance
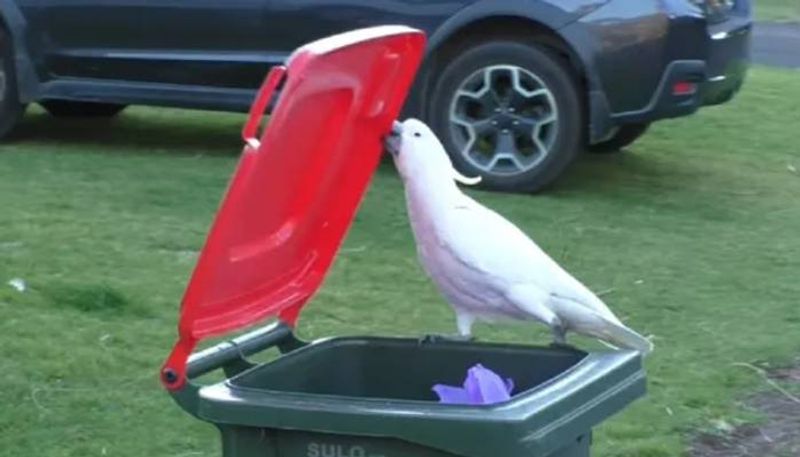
[401, 369]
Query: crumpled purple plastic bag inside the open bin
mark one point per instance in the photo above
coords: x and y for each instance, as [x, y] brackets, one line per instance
[481, 387]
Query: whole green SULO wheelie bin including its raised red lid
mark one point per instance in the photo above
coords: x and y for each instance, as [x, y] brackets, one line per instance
[283, 217]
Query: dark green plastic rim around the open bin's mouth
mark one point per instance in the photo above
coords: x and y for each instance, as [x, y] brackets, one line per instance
[535, 421]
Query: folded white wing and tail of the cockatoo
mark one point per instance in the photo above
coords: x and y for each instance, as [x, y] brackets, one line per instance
[494, 255]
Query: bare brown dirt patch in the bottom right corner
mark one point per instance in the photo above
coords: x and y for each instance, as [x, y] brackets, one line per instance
[777, 436]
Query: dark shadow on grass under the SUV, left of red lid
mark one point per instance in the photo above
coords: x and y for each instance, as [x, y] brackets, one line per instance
[139, 130]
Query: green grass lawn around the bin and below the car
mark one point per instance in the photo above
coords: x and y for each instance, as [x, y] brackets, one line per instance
[695, 230]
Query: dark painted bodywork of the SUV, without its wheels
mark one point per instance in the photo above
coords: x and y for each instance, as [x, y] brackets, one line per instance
[211, 54]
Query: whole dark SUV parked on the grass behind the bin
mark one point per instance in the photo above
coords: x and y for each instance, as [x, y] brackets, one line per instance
[514, 88]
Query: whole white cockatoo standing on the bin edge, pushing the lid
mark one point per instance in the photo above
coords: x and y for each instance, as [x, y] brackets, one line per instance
[483, 265]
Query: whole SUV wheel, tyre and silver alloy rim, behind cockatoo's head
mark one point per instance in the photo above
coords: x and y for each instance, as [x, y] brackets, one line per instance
[510, 112]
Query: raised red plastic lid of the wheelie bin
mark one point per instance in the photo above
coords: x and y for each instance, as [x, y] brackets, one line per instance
[295, 191]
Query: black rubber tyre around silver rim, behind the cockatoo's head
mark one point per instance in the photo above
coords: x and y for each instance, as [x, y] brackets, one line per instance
[567, 136]
